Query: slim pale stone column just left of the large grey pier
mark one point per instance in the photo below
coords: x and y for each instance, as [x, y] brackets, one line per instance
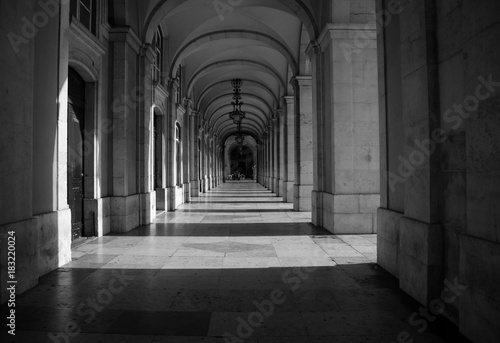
[304, 143]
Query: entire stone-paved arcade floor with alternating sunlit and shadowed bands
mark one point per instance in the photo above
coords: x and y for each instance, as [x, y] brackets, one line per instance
[235, 263]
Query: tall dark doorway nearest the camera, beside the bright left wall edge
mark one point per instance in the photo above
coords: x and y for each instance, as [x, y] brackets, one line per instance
[76, 136]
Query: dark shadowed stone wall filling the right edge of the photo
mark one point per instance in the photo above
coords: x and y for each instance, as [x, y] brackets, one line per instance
[437, 224]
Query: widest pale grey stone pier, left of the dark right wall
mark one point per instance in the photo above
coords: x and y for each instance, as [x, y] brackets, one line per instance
[347, 167]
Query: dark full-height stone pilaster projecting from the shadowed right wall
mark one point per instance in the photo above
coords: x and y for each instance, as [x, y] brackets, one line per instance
[420, 236]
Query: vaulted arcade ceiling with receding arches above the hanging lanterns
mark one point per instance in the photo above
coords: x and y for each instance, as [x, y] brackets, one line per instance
[261, 42]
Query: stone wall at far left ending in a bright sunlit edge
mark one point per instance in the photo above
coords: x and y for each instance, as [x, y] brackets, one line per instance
[34, 207]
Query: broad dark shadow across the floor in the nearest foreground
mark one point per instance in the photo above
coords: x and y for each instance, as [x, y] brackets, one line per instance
[347, 303]
